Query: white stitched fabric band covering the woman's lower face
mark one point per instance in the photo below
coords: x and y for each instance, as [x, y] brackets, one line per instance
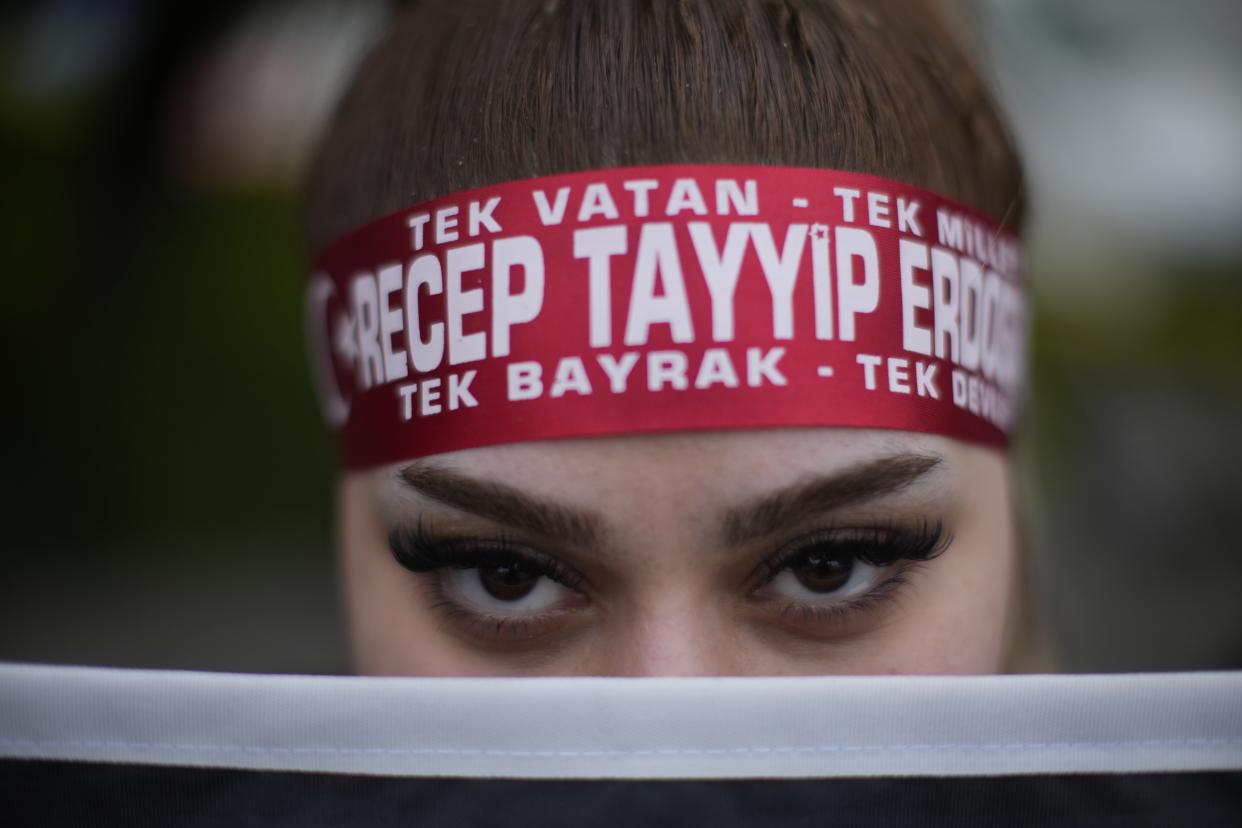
[583, 728]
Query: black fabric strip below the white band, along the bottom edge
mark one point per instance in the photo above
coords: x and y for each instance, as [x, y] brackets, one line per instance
[83, 794]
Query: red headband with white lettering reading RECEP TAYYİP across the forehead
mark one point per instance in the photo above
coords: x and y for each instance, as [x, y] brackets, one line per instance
[668, 299]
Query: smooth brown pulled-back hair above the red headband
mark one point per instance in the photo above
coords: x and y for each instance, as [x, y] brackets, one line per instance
[470, 92]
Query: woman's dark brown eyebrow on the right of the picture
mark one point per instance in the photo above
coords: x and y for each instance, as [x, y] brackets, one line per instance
[827, 493]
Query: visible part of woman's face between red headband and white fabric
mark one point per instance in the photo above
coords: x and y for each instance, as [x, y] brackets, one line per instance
[782, 552]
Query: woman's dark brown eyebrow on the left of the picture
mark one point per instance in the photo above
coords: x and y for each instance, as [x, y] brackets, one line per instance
[504, 505]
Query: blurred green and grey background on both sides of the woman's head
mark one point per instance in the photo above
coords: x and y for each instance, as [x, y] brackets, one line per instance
[168, 484]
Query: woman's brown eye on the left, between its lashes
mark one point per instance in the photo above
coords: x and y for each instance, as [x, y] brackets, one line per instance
[506, 585]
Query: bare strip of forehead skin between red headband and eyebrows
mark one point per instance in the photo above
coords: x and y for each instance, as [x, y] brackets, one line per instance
[726, 465]
